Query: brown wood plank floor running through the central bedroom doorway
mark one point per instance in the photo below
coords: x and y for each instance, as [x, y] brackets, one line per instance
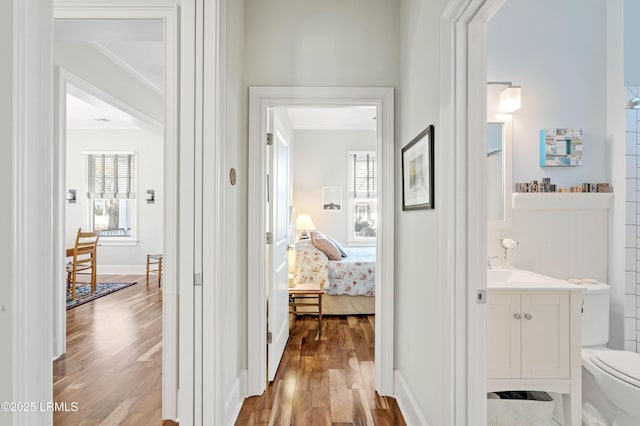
[324, 379]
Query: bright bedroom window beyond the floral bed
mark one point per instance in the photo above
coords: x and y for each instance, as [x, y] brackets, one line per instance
[363, 199]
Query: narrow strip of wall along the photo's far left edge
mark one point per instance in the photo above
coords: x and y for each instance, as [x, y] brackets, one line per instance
[6, 217]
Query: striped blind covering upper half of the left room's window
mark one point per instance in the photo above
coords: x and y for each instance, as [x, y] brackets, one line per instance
[111, 176]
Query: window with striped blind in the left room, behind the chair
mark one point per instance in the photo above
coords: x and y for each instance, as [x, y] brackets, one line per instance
[111, 183]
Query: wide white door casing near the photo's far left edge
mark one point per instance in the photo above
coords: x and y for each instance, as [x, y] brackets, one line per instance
[28, 312]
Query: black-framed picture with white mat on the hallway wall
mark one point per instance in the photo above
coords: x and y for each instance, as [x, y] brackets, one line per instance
[418, 172]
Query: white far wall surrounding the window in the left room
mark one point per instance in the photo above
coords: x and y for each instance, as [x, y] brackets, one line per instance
[150, 217]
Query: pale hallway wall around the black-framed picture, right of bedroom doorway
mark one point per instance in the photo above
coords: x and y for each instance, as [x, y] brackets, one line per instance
[418, 326]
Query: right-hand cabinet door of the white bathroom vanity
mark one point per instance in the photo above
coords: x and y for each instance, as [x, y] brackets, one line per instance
[545, 336]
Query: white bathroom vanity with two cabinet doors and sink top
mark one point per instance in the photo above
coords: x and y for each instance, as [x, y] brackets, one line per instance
[534, 336]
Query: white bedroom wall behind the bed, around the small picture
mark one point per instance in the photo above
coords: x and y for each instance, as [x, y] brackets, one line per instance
[321, 158]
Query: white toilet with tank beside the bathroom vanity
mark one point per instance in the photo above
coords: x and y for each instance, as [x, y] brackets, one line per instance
[610, 378]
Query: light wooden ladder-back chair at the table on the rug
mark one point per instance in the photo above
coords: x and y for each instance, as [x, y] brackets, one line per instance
[83, 260]
